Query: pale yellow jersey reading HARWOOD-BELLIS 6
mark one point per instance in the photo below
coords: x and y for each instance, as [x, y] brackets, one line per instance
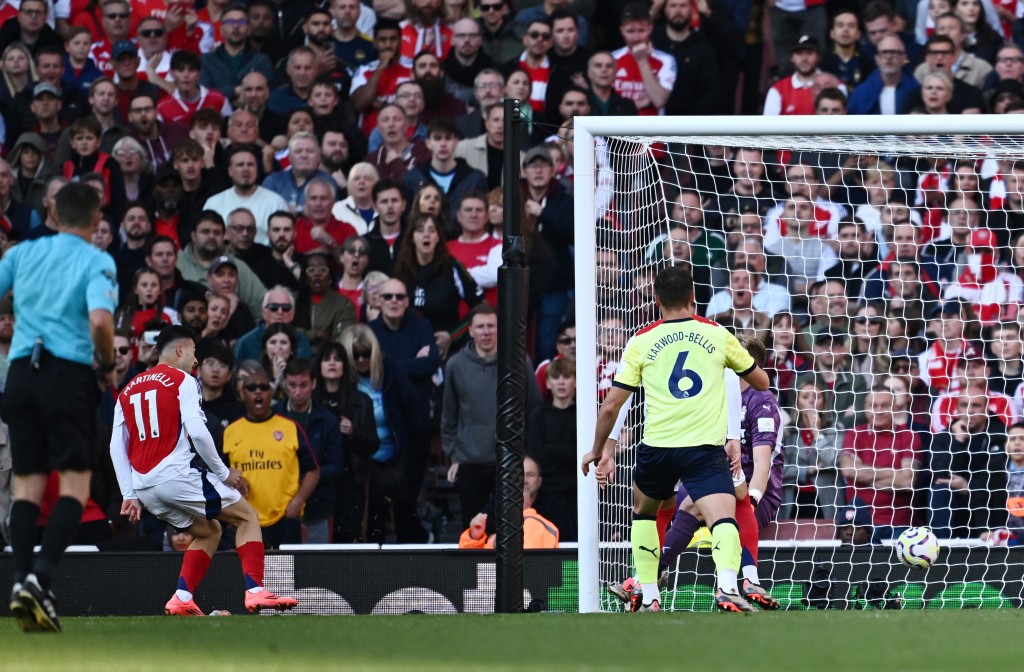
[681, 366]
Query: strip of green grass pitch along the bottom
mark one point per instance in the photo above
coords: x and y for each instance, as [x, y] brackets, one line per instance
[831, 642]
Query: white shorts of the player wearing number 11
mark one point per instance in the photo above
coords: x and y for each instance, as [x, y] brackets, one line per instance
[182, 500]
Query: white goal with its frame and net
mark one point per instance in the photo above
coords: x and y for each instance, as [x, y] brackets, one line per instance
[880, 263]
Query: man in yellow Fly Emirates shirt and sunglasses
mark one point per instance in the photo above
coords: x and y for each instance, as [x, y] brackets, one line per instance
[287, 475]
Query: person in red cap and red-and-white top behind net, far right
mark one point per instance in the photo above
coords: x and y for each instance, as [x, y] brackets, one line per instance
[983, 284]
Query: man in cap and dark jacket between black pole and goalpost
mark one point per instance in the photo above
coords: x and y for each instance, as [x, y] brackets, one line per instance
[550, 206]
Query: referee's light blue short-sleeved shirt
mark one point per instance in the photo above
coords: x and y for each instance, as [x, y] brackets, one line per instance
[58, 282]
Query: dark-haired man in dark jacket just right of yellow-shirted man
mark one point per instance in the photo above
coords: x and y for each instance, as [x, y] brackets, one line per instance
[323, 432]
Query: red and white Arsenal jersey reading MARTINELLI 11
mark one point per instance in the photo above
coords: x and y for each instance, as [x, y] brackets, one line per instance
[154, 408]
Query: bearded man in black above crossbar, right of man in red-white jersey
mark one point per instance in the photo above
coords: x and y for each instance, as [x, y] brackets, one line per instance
[698, 87]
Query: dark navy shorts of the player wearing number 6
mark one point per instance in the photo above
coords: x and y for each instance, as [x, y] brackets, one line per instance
[704, 471]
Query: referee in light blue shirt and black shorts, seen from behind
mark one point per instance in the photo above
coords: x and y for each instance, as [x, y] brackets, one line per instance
[65, 296]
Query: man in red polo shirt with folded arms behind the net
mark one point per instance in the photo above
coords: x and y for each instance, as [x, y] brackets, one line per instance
[879, 460]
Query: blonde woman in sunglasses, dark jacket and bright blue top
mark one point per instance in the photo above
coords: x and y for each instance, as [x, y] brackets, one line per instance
[398, 413]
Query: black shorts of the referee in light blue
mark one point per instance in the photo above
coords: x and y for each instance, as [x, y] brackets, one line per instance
[52, 412]
